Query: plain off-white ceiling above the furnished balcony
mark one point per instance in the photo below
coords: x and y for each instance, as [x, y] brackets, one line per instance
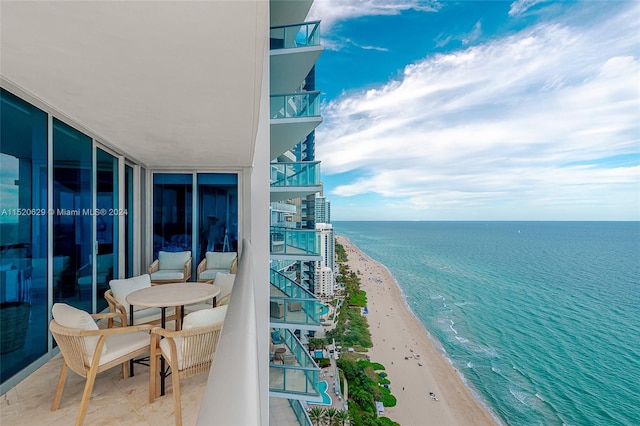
[169, 84]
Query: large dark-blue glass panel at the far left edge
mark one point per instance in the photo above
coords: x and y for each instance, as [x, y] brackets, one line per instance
[23, 234]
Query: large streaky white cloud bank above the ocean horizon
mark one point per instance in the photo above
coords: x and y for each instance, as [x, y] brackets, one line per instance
[499, 124]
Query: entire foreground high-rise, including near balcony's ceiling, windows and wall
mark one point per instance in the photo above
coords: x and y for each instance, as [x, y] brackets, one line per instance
[133, 128]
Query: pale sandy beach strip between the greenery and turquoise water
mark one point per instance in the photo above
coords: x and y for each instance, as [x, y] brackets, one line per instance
[397, 334]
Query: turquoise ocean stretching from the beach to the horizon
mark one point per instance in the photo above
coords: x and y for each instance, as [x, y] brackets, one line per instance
[542, 319]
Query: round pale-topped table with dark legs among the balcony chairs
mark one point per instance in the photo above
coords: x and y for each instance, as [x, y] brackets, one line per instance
[166, 295]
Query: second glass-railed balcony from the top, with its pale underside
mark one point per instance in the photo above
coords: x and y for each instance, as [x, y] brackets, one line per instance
[293, 117]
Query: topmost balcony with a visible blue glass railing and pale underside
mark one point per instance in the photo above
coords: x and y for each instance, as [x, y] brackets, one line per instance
[295, 48]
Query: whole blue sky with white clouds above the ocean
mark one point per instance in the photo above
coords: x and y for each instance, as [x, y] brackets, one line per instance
[476, 110]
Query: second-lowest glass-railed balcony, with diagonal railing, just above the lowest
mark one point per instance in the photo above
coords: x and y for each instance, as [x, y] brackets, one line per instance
[292, 305]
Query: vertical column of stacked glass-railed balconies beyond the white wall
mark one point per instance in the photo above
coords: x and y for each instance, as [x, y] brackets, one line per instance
[295, 179]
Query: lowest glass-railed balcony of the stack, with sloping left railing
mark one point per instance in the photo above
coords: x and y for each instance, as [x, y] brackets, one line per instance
[294, 375]
